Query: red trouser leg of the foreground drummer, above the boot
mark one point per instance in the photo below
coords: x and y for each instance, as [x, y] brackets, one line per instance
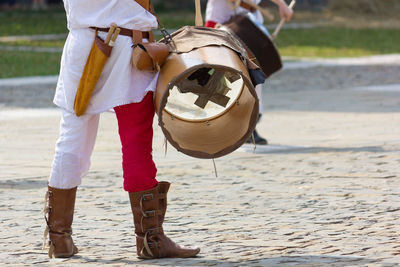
[135, 127]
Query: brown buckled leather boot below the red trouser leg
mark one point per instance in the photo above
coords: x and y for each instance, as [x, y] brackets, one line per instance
[148, 208]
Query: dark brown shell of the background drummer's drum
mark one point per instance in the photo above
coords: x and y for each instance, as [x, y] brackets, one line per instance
[260, 47]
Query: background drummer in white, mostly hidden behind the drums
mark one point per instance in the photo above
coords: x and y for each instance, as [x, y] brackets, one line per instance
[221, 11]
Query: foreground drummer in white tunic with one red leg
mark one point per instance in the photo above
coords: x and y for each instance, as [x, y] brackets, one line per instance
[130, 93]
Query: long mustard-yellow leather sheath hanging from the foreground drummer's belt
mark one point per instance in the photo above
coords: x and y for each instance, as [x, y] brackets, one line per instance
[98, 56]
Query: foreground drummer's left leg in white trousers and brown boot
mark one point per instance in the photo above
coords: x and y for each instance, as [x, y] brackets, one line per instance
[71, 162]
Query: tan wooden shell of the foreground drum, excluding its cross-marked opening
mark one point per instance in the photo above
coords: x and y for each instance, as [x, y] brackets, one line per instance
[216, 136]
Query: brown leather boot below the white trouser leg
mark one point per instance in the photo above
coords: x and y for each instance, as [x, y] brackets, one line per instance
[60, 213]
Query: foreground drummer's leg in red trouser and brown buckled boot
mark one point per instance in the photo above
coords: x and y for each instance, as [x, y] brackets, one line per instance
[147, 196]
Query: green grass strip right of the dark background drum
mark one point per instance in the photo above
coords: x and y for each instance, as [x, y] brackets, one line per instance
[338, 42]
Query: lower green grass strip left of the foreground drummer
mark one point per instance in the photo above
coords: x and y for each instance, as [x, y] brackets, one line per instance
[20, 64]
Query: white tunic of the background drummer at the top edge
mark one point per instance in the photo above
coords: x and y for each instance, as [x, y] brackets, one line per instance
[220, 11]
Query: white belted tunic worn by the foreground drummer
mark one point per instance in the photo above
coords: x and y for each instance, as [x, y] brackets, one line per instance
[119, 83]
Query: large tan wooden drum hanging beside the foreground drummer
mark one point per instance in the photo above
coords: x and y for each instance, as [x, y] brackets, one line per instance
[206, 105]
